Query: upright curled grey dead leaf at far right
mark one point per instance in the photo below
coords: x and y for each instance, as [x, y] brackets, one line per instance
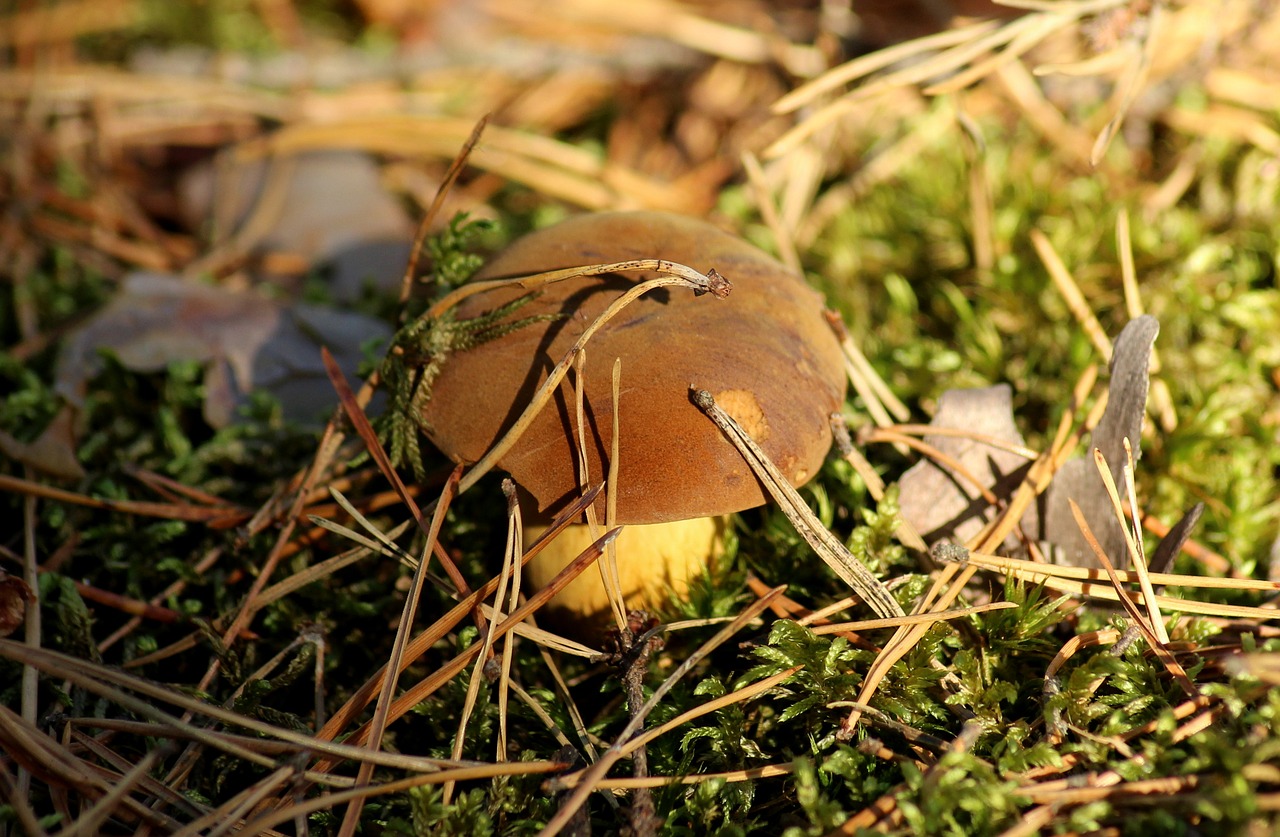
[1080, 479]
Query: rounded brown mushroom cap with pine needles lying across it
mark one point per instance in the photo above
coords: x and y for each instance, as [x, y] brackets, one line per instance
[766, 354]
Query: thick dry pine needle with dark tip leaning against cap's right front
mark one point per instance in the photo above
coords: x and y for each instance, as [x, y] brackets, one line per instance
[828, 546]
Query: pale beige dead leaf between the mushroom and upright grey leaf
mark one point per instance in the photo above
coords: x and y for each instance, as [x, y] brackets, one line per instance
[935, 498]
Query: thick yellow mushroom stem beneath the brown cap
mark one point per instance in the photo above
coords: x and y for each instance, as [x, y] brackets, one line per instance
[655, 561]
